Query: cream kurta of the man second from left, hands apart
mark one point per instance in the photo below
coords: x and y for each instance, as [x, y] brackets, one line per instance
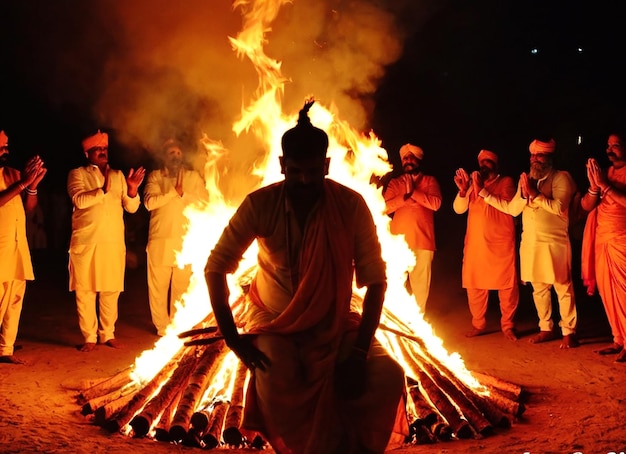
[97, 247]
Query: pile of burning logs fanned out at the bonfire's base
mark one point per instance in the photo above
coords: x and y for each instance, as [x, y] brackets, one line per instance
[197, 398]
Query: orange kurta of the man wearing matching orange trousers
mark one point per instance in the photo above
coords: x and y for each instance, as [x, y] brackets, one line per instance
[489, 254]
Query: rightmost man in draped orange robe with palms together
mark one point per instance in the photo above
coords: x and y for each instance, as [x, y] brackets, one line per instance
[604, 240]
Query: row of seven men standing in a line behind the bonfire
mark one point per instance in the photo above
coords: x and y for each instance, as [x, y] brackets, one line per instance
[544, 196]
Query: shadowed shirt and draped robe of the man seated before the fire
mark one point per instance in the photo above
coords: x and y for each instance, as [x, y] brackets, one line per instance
[301, 302]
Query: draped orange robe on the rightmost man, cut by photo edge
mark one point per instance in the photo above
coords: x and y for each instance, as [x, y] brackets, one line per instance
[604, 255]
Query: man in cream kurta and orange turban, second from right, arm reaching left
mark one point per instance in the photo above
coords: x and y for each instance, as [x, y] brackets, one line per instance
[543, 197]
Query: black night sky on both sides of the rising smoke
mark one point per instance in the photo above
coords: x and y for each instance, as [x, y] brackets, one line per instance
[466, 80]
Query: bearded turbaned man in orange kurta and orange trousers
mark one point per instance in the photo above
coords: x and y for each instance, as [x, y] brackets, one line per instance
[489, 255]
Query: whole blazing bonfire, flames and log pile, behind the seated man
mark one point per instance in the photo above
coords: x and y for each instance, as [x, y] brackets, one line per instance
[190, 387]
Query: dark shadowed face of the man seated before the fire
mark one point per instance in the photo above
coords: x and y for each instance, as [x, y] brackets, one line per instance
[304, 178]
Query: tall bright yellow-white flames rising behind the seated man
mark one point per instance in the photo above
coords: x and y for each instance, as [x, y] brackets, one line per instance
[355, 158]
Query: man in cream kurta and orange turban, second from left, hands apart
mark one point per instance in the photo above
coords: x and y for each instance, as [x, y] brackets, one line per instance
[99, 195]
